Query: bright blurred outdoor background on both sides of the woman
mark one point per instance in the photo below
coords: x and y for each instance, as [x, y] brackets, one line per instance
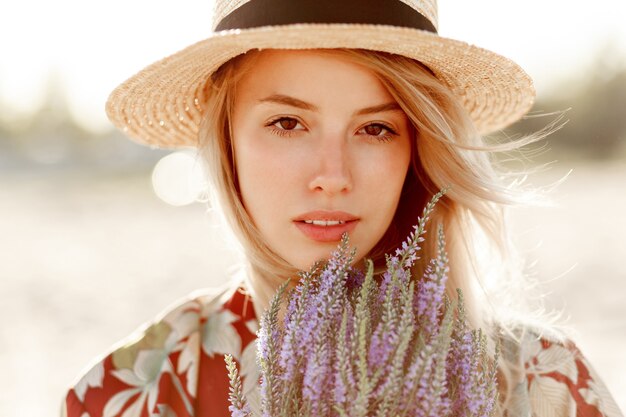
[98, 234]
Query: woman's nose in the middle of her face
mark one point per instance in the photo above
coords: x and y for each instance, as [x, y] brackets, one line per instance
[332, 174]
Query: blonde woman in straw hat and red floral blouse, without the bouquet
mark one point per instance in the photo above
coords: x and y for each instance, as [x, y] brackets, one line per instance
[318, 118]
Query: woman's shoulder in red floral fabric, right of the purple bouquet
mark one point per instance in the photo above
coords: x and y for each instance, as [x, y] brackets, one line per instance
[554, 378]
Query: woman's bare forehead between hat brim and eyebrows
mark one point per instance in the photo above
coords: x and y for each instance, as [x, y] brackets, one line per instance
[320, 76]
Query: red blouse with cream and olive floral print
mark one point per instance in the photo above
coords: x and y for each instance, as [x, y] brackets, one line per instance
[175, 368]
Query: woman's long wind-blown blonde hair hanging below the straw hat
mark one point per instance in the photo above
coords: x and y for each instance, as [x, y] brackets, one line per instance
[447, 152]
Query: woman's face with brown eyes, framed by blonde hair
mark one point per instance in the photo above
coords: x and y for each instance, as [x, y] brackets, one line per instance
[321, 148]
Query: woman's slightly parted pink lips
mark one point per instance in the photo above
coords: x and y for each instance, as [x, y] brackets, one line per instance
[326, 233]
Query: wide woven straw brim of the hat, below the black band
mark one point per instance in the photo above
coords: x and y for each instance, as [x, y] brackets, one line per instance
[162, 104]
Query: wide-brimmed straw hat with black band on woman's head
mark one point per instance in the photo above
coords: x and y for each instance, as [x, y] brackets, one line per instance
[162, 105]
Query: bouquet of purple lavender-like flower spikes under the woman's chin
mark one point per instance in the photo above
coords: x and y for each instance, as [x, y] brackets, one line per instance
[353, 345]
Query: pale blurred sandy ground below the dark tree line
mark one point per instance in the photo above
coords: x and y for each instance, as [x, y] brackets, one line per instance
[85, 260]
